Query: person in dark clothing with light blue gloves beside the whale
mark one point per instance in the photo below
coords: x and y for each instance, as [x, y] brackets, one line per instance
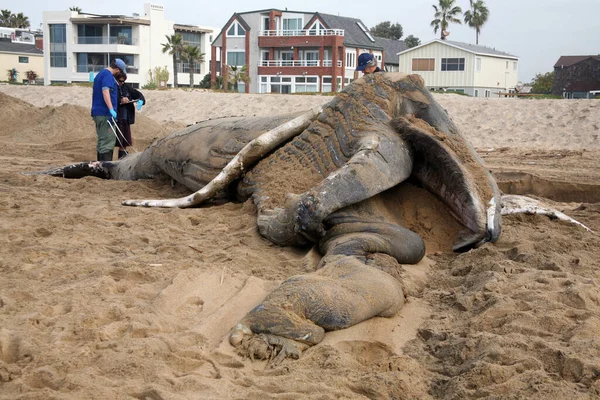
[129, 100]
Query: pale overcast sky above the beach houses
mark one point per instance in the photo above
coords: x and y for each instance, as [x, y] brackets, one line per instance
[537, 31]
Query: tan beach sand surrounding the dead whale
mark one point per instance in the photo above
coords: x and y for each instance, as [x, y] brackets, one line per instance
[100, 301]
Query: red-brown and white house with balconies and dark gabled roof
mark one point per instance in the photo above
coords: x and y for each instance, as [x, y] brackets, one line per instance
[292, 51]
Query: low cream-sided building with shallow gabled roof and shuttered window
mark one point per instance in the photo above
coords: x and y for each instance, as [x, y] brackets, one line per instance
[475, 70]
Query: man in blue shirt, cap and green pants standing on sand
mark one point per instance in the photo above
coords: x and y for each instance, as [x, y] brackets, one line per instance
[104, 103]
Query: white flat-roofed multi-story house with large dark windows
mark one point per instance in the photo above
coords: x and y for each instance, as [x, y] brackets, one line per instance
[81, 44]
